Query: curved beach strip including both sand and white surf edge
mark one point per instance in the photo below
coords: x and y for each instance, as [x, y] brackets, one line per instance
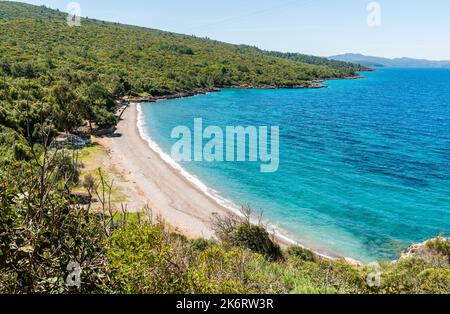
[173, 194]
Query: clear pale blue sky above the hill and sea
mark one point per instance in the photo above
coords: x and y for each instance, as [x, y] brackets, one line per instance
[412, 28]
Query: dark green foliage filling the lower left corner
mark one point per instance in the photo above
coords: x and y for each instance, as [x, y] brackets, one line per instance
[42, 231]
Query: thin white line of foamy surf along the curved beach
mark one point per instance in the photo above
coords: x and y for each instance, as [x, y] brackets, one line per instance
[209, 192]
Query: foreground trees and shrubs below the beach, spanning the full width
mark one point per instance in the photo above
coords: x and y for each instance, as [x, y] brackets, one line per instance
[43, 228]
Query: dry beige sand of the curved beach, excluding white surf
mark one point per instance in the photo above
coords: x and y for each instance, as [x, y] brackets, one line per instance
[169, 194]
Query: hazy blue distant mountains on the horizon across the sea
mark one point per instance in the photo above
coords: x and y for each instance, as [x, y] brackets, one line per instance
[370, 61]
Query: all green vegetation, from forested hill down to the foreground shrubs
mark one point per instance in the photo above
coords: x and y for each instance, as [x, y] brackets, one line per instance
[54, 78]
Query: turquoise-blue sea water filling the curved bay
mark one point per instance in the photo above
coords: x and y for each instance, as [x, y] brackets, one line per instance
[364, 165]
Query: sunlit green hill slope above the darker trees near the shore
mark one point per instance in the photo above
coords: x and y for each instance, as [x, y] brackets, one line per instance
[134, 60]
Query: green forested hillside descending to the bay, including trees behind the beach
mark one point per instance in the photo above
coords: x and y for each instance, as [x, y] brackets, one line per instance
[75, 73]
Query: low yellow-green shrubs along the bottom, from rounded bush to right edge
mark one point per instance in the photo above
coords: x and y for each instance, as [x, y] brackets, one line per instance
[147, 258]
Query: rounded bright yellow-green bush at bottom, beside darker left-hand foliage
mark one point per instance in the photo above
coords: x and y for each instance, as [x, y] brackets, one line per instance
[143, 261]
